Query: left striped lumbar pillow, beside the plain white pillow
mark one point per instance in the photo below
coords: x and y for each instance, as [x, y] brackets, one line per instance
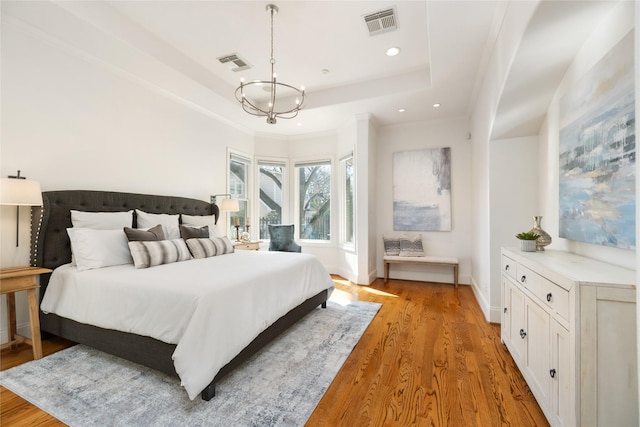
[151, 253]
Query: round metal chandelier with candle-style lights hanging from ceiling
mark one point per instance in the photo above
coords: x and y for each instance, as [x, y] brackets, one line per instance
[270, 86]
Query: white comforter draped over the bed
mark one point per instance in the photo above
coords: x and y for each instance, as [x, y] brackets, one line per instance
[211, 308]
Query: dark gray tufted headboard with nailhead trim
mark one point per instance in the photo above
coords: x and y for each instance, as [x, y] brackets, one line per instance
[50, 246]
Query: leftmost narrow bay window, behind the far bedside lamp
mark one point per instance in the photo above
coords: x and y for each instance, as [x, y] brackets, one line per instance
[239, 170]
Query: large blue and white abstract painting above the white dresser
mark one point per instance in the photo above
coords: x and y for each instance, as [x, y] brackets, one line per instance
[598, 153]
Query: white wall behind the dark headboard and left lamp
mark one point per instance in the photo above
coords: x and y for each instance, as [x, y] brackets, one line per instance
[72, 123]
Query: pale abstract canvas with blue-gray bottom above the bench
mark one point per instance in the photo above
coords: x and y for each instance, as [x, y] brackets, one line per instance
[422, 190]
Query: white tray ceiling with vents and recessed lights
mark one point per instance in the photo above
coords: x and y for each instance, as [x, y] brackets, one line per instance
[444, 45]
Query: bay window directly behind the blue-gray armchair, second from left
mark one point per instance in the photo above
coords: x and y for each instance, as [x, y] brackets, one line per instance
[271, 181]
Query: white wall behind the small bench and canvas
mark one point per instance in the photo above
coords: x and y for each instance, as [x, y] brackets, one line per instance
[457, 242]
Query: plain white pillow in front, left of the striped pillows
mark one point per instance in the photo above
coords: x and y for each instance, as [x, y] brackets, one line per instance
[98, 248]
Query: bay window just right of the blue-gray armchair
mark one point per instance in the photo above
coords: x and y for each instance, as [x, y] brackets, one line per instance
[313, 182]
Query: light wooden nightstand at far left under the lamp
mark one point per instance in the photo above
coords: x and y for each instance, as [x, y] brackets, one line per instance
[16, 279]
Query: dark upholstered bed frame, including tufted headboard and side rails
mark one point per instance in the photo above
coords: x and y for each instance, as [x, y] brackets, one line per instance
[50, 248]
